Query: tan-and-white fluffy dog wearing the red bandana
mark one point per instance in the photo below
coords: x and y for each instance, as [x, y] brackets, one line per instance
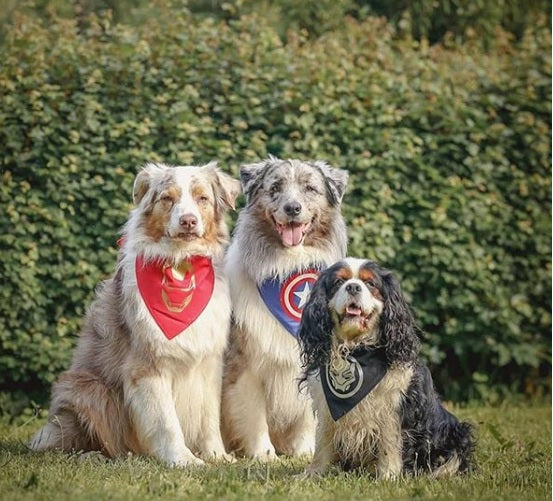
[146, 373]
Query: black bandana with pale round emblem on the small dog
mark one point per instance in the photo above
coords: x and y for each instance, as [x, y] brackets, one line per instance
[347, 381]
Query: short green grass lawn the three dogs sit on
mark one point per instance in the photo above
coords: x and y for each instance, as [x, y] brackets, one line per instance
[513, 454]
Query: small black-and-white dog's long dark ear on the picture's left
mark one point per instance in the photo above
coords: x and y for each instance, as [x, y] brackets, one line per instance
[315, 332]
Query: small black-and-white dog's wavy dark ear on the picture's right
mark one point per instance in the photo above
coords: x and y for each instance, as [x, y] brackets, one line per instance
[397, 323]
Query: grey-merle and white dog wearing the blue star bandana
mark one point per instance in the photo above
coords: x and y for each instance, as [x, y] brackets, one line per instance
[290, 229]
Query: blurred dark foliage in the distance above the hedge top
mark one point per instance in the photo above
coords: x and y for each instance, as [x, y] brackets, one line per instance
[429, 19]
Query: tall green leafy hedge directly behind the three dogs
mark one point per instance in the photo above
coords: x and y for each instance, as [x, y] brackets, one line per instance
[449, 153]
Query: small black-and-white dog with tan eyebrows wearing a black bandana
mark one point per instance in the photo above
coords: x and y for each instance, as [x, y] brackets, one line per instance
[374, 397]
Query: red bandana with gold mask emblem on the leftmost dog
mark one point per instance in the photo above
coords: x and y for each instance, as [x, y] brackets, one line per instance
[175, 297]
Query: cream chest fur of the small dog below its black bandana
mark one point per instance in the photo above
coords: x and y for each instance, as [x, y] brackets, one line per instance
[358, 434]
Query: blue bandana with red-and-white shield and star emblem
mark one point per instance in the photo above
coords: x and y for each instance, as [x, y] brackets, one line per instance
[287, 298]
